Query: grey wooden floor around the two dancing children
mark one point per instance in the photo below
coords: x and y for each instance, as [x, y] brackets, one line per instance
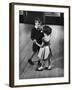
[27, 71]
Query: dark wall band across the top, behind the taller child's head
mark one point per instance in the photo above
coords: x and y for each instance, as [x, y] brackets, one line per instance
[29, 17]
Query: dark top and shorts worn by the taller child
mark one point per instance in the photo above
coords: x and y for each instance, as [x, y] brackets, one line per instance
[37, 35]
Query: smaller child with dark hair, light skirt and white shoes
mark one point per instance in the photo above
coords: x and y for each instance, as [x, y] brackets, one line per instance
[45, 50]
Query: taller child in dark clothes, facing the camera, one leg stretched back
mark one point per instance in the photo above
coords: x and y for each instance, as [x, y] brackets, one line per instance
[36, 36]
